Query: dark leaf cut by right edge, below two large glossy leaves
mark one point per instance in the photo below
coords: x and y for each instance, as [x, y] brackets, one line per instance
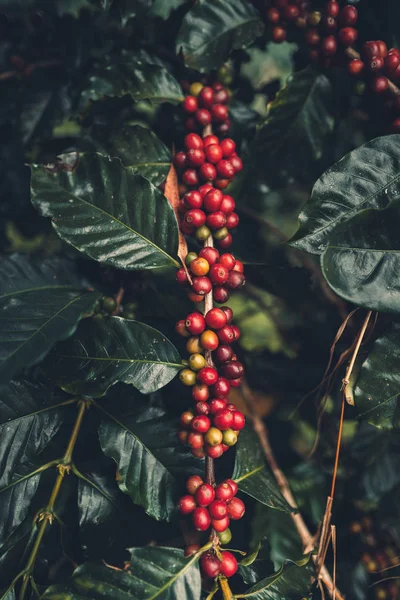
[378, 384]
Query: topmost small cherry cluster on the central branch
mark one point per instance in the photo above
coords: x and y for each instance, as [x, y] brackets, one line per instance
[206, 105]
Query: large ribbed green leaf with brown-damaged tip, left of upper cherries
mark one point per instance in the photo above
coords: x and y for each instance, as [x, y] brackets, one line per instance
[108, 212]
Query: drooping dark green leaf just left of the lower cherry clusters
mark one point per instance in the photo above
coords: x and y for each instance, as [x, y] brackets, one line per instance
[150, 460]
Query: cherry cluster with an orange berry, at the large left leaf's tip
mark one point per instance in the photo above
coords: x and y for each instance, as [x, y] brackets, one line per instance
[211, 271]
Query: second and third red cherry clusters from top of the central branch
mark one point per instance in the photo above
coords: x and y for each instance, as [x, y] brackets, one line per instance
[207, 166]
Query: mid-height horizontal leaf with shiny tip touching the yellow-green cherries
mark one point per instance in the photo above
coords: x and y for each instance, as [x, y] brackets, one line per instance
[106, 350]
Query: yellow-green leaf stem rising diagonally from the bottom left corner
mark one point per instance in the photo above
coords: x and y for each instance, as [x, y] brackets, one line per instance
[46, 516]
